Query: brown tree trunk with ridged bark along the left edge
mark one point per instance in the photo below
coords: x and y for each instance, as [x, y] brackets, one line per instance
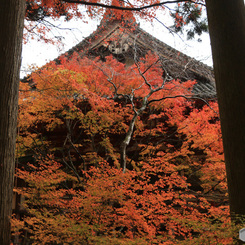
[11, 31]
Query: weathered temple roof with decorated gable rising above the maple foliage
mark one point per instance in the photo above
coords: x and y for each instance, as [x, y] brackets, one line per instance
[122, 37]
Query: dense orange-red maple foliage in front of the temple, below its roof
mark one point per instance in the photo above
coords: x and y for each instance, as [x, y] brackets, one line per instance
[74, 122]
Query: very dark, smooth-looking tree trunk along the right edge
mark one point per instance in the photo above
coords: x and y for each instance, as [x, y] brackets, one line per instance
[226, 20]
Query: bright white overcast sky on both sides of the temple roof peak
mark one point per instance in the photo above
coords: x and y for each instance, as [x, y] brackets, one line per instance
[38, 53]
